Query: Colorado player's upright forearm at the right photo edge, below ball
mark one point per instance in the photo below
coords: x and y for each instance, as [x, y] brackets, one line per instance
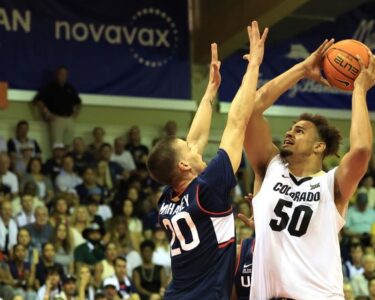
[360, 128]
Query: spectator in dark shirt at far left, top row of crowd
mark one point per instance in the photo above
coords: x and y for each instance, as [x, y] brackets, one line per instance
[21, 138]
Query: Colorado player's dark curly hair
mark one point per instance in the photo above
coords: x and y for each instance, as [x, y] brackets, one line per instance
[328, 133]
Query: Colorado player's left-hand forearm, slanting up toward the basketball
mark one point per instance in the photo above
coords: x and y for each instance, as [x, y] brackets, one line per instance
[267, 95]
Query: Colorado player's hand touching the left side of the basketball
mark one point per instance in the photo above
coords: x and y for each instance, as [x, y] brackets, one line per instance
[312, 64]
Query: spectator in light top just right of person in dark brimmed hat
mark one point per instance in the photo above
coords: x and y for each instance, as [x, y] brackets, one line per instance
[105, 268]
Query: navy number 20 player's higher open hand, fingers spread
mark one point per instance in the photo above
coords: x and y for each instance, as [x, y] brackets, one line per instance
[256, 43]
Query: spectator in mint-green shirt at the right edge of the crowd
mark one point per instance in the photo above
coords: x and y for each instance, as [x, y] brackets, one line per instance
[359, 218]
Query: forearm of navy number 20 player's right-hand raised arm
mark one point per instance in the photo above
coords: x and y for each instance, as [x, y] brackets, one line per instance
[243, 103]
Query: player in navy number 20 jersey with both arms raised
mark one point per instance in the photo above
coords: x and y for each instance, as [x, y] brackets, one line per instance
[195, 208]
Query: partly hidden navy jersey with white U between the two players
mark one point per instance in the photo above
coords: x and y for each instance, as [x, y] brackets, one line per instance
[242, 277]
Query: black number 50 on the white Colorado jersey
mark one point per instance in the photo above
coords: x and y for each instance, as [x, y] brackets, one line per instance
[296, 227]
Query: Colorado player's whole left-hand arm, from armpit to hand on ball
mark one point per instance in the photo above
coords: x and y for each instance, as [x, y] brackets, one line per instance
[258, 140]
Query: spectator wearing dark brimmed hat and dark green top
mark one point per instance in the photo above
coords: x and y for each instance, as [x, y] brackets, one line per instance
[92, 251]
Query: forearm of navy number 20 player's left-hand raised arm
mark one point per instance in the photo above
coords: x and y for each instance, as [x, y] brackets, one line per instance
[200, 127]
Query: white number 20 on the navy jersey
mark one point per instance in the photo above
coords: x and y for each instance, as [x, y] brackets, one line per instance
[175, 229]
